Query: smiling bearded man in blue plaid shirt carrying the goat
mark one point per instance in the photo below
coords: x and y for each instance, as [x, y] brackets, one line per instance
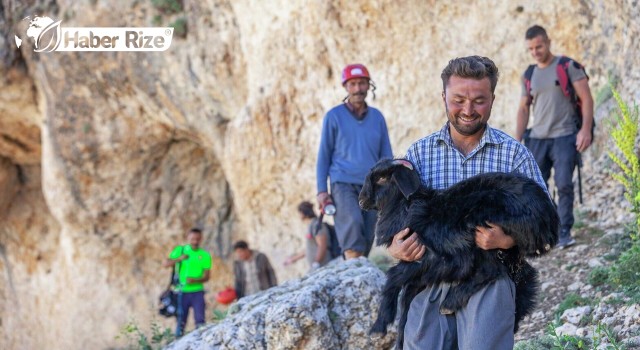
[464, 147]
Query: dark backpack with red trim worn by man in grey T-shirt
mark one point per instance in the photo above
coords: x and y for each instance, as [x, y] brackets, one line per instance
[562, 71]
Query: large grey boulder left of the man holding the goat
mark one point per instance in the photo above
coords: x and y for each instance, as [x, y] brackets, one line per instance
[331, 308]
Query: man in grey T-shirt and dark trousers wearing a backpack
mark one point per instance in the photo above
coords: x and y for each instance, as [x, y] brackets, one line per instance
[554, 138]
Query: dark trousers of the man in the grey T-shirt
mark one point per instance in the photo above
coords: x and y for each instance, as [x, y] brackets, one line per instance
[560, 154]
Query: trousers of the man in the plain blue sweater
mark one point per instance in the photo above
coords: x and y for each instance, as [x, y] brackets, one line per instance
[354, 226]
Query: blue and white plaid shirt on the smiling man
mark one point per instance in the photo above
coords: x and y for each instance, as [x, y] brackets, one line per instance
[441, 165]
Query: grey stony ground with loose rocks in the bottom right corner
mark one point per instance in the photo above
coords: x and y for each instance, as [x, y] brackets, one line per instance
[564, 274]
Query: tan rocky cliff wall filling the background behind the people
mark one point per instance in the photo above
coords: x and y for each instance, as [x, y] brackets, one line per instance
[106, 159]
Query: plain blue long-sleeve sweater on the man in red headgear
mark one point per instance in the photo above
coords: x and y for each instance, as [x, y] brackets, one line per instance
[349, 147]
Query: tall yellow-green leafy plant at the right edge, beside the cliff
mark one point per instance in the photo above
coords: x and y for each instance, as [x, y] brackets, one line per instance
[624, 135]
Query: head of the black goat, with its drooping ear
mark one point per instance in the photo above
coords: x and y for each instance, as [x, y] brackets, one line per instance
[387, 180]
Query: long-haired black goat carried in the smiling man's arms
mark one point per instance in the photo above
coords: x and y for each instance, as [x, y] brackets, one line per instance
[445, 222]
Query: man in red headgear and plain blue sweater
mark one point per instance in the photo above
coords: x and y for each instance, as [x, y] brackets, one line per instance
[354, 137]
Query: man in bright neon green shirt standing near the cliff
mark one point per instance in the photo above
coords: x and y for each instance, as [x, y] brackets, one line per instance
[193, 265]
